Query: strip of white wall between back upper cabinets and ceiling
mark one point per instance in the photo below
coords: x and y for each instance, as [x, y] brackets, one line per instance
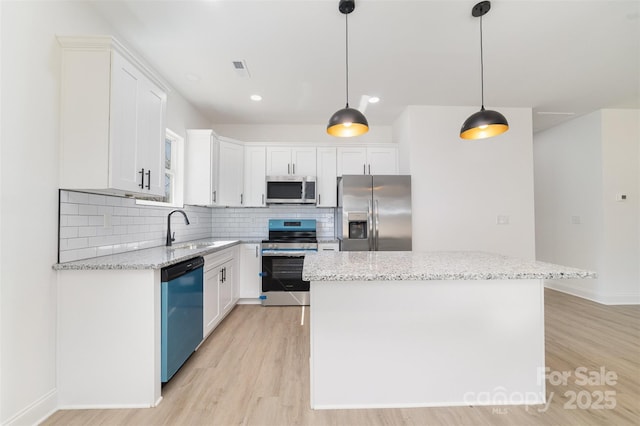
[297, 133]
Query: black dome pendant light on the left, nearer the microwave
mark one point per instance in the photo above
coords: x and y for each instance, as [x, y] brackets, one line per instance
[347, 122]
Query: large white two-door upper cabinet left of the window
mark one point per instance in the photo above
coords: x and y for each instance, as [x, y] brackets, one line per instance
[112, 116]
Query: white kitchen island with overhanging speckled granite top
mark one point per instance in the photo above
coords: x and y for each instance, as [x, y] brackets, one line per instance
[411, 329]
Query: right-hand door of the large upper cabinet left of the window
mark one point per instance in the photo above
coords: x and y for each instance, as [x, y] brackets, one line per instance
[151, 136]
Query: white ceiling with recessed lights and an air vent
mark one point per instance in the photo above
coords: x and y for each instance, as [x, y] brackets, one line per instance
[561, 58]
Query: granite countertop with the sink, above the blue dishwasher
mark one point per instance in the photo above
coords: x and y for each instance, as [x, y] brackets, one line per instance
[151, 258]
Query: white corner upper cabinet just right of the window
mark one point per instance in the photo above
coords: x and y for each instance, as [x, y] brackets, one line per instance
[214, 169]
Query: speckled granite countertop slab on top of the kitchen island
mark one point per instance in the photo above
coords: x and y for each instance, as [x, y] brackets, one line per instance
[445, 265]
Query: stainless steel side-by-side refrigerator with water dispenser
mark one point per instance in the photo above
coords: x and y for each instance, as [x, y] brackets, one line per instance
[374, 213]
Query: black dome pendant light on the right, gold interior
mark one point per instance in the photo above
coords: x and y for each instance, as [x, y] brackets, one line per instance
[484, 123]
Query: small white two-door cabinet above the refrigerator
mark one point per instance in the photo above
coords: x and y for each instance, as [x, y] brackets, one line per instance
[371, 160]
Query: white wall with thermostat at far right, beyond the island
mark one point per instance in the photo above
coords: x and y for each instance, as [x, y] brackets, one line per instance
[581, 166]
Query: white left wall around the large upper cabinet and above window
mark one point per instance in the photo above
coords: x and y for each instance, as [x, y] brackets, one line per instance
[29, 196]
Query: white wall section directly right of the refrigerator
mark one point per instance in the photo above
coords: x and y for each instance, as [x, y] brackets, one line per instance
[459, 187]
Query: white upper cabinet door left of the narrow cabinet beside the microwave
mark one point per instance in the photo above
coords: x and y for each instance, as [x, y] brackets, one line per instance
[230, 174]
